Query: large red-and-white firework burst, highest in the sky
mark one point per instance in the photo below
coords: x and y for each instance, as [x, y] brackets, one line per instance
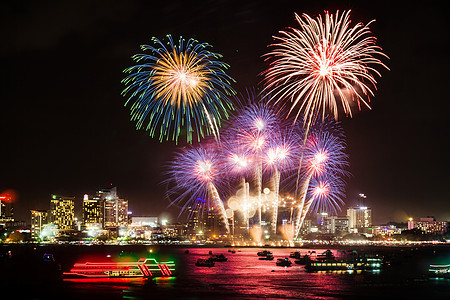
[326, 64]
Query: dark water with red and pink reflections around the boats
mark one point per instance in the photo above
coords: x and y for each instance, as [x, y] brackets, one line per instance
[242, 276]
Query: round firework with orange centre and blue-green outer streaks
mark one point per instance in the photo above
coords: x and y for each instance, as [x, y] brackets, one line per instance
[178, 87]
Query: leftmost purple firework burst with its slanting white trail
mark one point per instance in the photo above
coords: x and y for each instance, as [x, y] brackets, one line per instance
[194, 173]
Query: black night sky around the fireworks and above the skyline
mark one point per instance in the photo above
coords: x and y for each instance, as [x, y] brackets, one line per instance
[64, 128]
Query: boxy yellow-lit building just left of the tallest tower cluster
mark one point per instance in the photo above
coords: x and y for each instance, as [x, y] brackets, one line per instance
[62, 212]
